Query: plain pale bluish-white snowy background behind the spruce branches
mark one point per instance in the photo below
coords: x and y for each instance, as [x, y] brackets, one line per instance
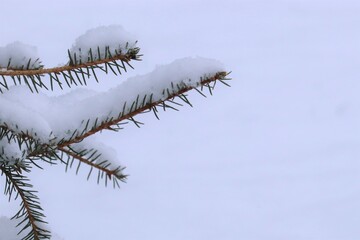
[274, 157]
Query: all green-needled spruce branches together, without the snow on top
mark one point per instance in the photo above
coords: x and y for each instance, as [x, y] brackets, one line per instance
[66, 149]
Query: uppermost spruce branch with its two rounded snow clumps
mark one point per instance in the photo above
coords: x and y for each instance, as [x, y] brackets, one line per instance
[106, 49]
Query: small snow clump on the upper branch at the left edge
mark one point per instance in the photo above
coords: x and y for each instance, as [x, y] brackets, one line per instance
[20, 55]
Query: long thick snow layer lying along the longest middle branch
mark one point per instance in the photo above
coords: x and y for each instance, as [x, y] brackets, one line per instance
[50, 119]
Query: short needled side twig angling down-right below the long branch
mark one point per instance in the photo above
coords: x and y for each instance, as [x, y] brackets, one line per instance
[91, 158]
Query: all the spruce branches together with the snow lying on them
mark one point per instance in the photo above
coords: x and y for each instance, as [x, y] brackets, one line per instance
[37, 128]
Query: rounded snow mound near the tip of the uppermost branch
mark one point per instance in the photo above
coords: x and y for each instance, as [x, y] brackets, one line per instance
[113, 37]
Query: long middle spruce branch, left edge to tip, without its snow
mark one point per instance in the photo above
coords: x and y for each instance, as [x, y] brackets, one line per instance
[45, 151]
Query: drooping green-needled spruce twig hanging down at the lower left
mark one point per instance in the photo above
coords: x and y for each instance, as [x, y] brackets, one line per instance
[30, 210]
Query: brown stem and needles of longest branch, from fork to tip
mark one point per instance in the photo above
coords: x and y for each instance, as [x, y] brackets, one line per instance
[220, 76]
